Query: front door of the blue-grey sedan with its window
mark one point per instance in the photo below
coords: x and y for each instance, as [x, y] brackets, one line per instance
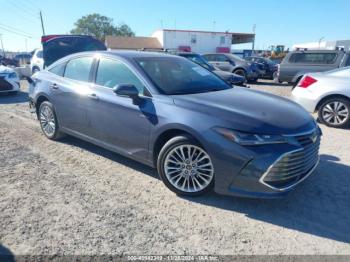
[120, 122]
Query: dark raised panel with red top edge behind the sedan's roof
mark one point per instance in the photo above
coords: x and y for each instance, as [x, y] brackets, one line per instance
[58, 46]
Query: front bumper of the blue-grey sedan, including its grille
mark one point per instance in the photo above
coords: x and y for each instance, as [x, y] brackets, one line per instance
[268, 171]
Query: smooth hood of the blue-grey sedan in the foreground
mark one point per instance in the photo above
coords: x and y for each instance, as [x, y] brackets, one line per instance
[250, 111]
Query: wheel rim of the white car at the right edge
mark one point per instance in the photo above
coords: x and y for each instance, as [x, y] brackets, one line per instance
[335, 113]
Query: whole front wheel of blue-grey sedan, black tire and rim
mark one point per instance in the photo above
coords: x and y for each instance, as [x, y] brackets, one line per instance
[185, 167]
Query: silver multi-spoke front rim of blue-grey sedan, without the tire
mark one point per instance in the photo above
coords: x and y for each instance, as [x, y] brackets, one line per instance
[189, 168]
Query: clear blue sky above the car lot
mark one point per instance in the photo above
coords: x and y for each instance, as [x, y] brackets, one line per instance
[285, 22]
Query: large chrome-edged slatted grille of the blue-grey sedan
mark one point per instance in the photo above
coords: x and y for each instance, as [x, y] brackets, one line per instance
[294, 166]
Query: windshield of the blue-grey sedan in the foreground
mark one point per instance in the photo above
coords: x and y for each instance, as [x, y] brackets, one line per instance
[176, 76]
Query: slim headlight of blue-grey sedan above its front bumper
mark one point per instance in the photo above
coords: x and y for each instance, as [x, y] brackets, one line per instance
[248, 139]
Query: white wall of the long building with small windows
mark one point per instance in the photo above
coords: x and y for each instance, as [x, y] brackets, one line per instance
[205, 42]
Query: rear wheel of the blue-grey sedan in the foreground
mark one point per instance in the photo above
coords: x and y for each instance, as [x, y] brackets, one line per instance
[48, 121]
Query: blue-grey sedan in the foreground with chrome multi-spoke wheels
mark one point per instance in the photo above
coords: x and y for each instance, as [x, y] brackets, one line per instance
[166, 112]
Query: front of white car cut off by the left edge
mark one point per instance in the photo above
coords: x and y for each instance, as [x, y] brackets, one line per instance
[9, 80]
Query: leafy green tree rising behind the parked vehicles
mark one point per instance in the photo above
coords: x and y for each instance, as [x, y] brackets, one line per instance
[100, 26]
